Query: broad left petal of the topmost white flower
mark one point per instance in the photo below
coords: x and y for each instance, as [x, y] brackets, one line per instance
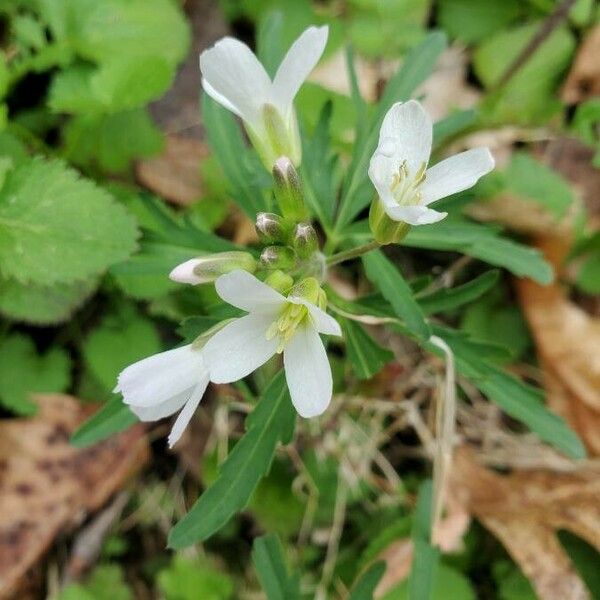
[230, 71]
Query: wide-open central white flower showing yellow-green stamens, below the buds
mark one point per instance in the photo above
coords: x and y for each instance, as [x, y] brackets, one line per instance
[274, 324]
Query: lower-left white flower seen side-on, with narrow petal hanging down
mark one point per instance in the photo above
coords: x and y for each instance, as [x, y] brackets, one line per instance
[163, 384]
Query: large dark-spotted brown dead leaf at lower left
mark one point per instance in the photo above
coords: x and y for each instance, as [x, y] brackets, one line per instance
[47, 487]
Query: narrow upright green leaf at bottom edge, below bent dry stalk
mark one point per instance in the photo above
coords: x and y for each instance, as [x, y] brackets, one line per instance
[425, 556]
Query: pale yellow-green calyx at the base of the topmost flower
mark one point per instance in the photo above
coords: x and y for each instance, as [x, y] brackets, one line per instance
[277, 136]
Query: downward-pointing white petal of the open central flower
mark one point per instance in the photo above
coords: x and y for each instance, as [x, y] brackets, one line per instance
[308, 373]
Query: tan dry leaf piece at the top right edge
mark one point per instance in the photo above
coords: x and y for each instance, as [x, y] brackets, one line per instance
[583, 81]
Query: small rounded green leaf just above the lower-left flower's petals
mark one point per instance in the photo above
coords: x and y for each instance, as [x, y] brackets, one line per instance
[121, 339]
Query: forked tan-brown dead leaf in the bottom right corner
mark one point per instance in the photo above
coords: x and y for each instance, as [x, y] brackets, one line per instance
[524, 511]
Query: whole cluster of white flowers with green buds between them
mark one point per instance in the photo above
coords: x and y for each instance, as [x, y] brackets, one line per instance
[287, 316]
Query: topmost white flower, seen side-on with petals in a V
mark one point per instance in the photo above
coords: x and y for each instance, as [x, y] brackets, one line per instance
[233, 76]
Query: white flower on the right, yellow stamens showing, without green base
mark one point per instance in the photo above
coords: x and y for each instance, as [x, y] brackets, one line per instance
[399, 170]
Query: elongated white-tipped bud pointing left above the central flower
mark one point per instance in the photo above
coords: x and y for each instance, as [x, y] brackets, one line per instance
[208, 268]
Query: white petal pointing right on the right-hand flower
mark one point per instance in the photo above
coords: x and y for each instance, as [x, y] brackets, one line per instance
[455, 174]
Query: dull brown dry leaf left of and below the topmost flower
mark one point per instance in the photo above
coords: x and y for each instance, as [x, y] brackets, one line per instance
[175, 174]
